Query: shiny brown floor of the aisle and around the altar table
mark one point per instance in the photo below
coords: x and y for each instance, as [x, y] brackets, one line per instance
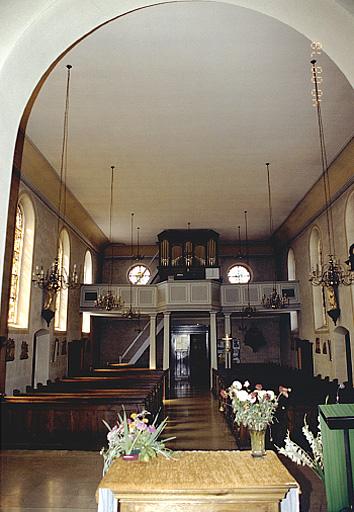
[58, 481]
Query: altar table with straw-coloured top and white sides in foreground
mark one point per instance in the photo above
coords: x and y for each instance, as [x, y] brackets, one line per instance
[199, 481]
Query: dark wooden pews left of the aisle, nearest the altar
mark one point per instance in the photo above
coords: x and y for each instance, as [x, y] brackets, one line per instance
[71, 418]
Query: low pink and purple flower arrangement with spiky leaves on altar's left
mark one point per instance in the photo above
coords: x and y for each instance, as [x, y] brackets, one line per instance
[134, 438]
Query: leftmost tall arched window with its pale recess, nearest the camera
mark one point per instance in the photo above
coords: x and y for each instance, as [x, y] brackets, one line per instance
[21, 273]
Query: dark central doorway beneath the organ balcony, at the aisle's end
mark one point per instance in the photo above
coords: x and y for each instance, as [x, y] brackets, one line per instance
[190, 357]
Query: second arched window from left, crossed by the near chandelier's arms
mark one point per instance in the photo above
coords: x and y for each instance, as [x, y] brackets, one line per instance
[61, 305]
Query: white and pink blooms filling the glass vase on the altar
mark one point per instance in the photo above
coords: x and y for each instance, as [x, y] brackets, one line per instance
[253, 409]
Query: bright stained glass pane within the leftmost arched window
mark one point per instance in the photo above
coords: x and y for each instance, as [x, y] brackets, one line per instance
[16, 266]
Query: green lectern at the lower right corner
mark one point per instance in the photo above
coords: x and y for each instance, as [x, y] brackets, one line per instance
[337, 426]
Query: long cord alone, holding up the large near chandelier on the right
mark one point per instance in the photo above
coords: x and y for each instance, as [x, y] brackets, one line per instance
[324, 161]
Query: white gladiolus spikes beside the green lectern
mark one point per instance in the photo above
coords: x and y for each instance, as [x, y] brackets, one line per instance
[301, 457]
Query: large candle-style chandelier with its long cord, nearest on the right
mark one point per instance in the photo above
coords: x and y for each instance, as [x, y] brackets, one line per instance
[332, 273]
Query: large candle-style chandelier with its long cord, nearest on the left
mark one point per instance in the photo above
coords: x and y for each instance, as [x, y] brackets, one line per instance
[56, 278]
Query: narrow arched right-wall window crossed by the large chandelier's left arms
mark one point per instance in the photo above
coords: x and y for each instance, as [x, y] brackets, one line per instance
[319, 309]
